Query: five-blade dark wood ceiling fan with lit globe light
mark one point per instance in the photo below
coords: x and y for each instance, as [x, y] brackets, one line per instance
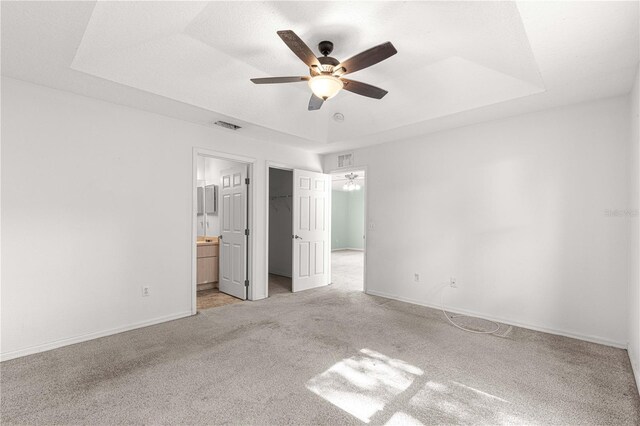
[325, 73]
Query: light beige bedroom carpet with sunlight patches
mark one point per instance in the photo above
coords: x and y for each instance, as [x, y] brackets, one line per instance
[324, 357]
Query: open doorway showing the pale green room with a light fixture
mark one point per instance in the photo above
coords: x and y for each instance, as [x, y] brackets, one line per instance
[348, 232]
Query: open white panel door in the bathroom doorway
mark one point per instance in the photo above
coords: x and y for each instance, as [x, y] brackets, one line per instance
[233, 224]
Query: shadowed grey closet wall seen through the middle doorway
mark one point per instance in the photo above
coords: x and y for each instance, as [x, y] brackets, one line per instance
[280, 222]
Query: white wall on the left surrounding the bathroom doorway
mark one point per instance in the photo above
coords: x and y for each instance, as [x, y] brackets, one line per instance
[77, 176]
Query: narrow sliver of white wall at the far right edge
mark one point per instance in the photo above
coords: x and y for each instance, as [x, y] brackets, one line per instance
[634, 231]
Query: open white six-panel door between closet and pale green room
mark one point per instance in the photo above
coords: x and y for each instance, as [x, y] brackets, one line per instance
[311, 245]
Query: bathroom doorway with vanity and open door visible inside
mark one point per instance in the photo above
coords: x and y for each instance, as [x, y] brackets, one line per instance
[221, 231]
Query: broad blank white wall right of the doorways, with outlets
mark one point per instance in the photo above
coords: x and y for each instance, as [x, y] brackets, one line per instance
[515, 210]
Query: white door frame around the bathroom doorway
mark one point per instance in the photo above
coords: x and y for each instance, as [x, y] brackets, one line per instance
[252, 213]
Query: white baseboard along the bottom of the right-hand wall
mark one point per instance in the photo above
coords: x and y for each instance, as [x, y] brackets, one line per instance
[588, 338]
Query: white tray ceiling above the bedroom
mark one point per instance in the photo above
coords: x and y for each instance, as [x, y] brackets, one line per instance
[457, 62]
